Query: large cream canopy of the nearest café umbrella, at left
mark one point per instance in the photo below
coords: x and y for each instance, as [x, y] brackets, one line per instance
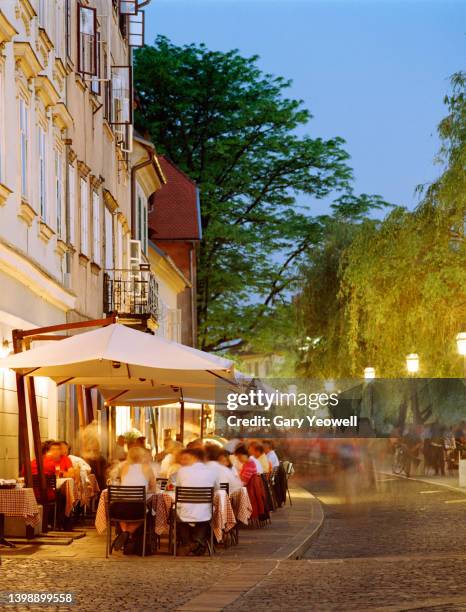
[121, 357]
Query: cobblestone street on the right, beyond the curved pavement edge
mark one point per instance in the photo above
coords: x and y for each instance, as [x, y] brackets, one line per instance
[401, 548]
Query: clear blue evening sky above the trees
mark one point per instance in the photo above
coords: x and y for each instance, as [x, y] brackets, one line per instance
[372, 71]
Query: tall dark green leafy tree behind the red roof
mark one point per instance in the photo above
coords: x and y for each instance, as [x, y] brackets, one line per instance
[234, 131]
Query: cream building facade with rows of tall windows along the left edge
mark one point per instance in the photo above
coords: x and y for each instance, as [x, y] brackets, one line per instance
[66, 181]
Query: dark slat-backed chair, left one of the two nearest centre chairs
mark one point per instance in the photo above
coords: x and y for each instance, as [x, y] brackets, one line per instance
[134, 498]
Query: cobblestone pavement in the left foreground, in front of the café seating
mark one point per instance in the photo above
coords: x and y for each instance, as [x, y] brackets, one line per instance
[138, 584]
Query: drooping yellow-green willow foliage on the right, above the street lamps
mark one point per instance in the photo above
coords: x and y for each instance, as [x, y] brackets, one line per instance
[397, 286]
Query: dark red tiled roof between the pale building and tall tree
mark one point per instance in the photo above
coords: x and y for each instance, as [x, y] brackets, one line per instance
[175, 211]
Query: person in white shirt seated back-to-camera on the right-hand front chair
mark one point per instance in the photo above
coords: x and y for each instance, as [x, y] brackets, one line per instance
[194, 518]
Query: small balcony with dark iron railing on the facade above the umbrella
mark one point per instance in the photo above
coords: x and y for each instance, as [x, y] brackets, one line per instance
[132, 295]
